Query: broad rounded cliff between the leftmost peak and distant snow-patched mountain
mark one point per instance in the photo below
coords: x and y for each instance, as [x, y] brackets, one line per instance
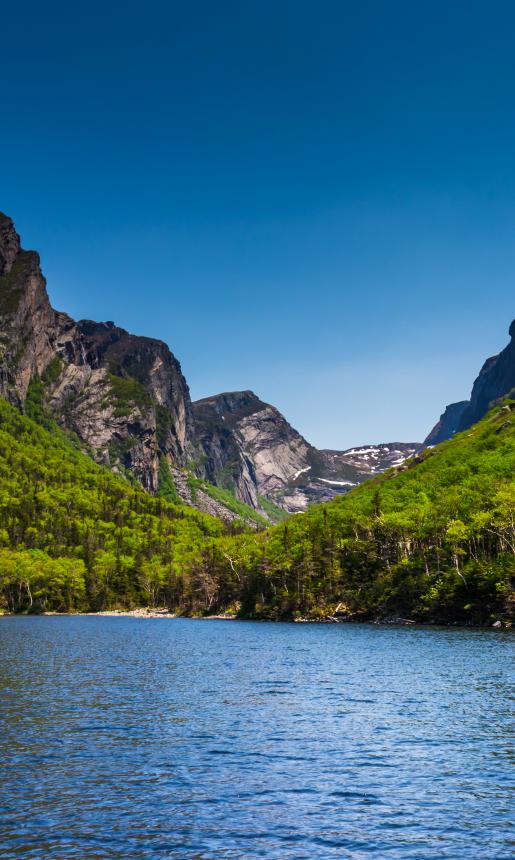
[125, 396]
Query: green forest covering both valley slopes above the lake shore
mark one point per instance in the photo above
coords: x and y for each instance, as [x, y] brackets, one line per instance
[431, 541]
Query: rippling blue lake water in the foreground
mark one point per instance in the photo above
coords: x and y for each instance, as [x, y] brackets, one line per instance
[153, 738]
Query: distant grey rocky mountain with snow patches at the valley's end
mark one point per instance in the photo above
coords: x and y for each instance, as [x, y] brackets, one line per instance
[250, 447]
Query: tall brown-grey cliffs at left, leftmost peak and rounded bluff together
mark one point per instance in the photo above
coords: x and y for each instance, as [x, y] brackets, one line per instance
[124, 396]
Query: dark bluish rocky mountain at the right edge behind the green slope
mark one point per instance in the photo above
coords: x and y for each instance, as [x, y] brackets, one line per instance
[496, 380]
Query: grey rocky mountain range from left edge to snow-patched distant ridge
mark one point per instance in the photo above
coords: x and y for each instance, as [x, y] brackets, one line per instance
[126, 399]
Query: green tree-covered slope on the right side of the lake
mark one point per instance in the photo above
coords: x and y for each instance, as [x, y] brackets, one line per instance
[432, 539]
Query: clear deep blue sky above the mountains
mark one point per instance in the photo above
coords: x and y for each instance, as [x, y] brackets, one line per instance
[315, 200]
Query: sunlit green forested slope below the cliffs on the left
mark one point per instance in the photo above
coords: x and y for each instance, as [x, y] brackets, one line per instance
[75, 536]
